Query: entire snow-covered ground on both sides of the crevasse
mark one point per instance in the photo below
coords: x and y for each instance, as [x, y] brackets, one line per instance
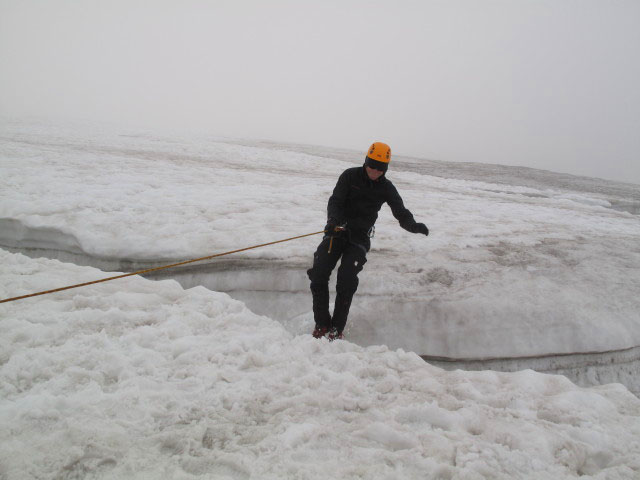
[151, 379]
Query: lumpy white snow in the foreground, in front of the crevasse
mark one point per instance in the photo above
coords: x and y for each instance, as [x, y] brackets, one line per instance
[141, 379]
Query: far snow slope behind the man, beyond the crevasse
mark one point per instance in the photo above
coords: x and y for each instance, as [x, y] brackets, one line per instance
[518, 264]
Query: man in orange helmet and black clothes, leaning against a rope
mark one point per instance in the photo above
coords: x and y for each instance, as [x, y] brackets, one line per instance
[352, 212]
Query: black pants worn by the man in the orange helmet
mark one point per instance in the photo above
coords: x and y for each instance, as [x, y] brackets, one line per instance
[324, 261]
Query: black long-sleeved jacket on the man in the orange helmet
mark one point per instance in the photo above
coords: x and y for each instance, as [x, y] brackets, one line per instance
[357, 199]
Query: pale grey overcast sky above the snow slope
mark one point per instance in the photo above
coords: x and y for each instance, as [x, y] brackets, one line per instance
[550, 84]
